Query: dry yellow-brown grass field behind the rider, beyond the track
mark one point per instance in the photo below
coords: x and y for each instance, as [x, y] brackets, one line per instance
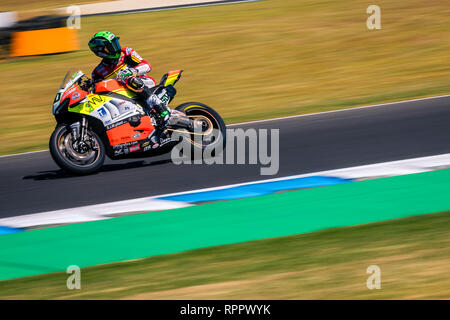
[252, 61]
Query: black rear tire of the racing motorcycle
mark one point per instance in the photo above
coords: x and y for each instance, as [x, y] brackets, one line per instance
[193, 109]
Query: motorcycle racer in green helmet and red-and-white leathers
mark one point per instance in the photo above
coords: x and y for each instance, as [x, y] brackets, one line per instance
[128, 67]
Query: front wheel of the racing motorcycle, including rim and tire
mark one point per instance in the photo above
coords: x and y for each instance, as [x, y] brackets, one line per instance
[70, 157]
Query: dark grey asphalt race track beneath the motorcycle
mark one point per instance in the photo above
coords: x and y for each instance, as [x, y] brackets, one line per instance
[33, 183]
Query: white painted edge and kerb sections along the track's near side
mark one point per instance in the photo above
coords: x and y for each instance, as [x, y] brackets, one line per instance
[108, 210]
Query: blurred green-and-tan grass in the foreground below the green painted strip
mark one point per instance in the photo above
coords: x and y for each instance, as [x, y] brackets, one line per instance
[413, 254]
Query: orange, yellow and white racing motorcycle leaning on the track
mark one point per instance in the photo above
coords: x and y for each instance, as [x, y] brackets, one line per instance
[105, 118]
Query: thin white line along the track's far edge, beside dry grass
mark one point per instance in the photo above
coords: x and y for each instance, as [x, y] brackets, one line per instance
[293, 117]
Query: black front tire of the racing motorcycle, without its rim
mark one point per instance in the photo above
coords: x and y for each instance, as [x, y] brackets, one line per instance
[64, 161]
